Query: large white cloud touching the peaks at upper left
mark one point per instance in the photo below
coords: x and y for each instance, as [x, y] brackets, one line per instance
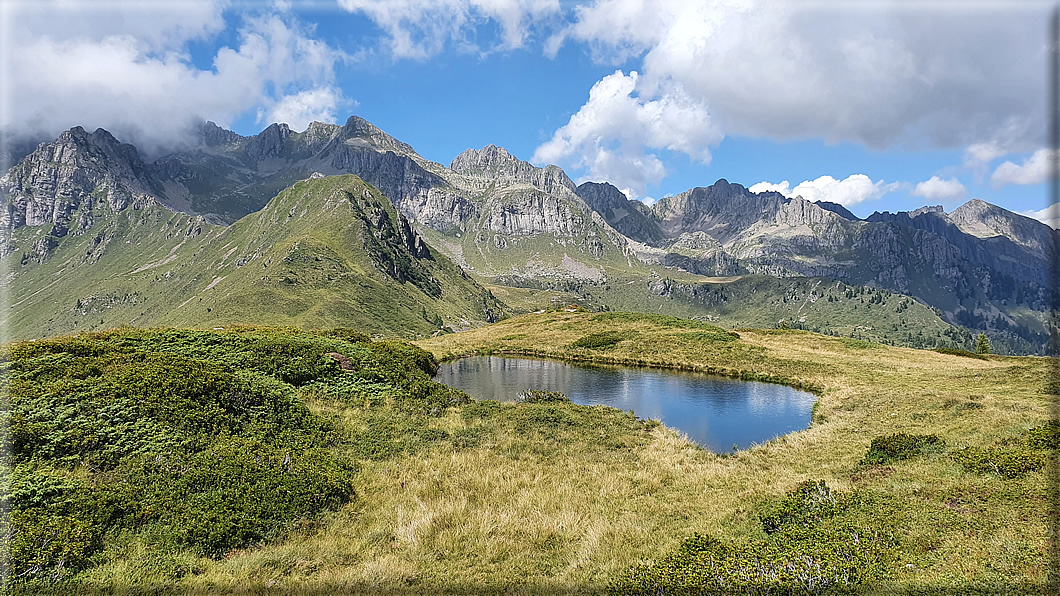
[144, 87]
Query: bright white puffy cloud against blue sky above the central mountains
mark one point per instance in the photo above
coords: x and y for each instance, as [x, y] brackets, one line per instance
[614, 134]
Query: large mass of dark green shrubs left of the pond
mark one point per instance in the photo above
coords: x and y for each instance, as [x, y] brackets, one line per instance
[193, 440]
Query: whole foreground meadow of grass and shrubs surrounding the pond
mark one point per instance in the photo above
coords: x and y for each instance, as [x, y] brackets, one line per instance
[325, 462]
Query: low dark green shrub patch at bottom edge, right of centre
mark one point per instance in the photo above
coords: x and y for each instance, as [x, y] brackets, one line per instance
[810, 549]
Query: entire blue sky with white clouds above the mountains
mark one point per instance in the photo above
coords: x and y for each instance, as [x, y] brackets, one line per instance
[877, 106]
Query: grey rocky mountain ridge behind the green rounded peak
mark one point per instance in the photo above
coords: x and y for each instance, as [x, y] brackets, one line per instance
[501, 218]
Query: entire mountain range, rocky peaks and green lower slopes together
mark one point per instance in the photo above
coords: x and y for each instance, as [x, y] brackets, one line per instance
[347, 225]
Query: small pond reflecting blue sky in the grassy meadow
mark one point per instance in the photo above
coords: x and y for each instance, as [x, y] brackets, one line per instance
[715, 412]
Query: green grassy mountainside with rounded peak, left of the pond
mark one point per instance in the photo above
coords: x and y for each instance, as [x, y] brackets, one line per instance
[326, 253]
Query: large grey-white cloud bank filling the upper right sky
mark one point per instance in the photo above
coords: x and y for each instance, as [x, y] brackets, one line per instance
[881, 75]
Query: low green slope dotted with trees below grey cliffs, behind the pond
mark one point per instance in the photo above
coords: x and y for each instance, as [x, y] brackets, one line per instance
[820, 305]
